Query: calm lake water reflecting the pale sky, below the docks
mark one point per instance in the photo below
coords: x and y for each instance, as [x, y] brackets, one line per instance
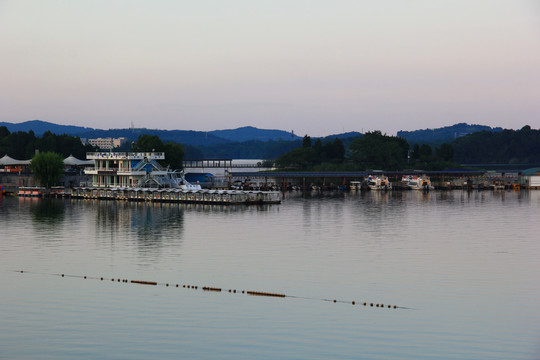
[462, 268]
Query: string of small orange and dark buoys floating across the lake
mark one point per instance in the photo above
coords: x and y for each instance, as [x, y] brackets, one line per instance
[217, 289]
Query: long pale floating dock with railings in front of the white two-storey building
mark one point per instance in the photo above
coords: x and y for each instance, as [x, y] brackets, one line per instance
[201, 196]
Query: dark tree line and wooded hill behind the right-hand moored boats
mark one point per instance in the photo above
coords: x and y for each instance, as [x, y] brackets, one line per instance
[375, 150]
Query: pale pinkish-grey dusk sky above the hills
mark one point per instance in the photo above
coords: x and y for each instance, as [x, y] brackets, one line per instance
[314, 67]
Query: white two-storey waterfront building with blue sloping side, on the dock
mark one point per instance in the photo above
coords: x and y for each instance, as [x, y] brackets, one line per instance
[129, 169]
